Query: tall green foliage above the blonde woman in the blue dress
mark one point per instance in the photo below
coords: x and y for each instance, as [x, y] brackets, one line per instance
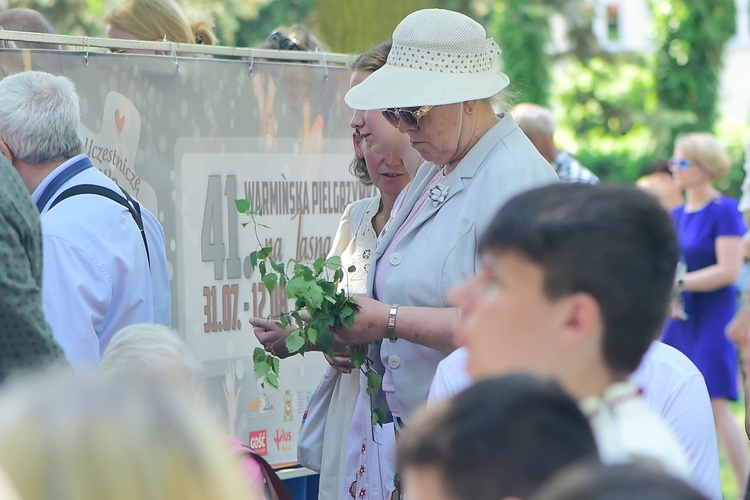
[692, 34]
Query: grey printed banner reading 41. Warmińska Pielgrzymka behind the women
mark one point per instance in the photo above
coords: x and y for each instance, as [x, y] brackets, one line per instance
[188, 136]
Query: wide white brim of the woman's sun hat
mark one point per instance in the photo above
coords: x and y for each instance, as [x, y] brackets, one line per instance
[397, 87]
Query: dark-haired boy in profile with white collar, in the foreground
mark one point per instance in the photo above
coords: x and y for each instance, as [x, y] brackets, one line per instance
[575, 284]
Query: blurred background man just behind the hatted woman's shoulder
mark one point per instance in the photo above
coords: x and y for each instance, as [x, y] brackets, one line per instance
[539, 126]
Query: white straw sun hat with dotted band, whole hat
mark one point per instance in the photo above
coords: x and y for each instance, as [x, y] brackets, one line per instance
[438, 57]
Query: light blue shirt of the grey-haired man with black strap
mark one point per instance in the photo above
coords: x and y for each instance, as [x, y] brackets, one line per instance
[96, 276]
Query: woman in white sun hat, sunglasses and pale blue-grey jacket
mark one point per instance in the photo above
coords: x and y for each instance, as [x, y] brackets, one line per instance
[436, 87]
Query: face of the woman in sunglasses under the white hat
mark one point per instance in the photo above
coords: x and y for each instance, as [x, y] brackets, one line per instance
[437, 135]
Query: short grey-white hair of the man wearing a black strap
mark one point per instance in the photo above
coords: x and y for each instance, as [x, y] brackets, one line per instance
[40, 117]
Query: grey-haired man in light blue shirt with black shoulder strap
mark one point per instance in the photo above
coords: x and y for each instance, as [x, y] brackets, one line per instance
[104, 260]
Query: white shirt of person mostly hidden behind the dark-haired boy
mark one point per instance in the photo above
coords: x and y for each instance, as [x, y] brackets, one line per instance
[672, 387]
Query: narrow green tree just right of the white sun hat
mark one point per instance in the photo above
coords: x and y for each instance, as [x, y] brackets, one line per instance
[521, 30]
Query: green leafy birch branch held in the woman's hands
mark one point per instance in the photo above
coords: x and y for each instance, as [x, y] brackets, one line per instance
[316, 290]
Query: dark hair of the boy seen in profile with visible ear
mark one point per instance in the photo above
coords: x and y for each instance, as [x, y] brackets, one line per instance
[615, 243]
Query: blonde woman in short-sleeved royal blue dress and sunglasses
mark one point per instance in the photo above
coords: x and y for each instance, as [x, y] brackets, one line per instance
[710, 230]
